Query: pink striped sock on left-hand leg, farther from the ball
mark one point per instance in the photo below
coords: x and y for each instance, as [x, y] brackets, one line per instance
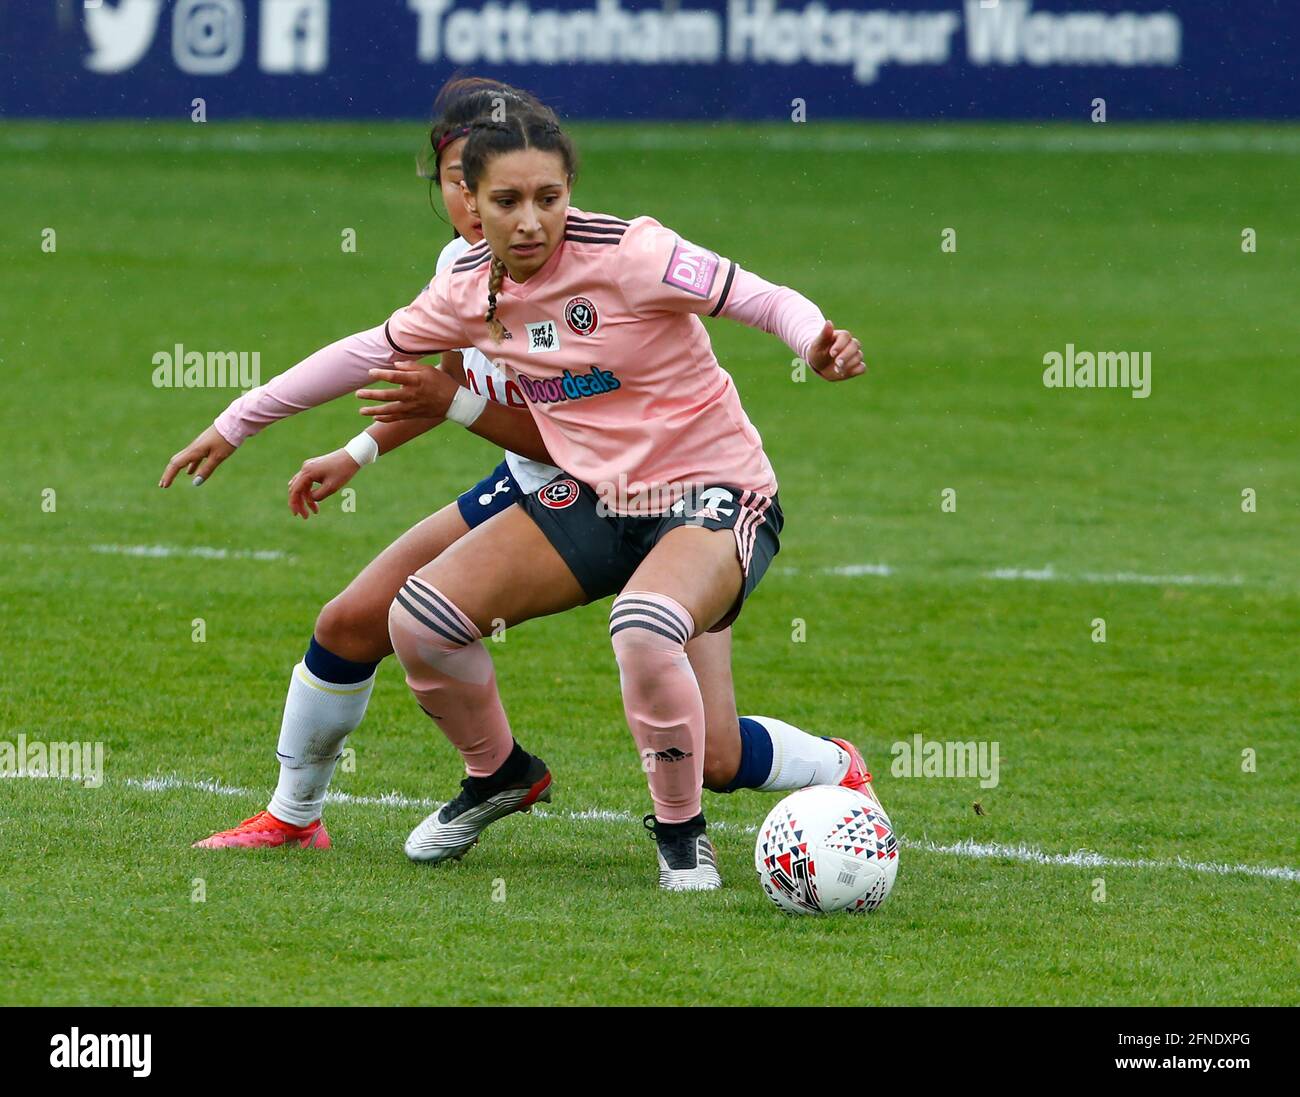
[450, 674]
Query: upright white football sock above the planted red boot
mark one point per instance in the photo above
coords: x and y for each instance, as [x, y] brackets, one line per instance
[319, 717]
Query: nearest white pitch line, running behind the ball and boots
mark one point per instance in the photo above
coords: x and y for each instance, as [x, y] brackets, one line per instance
[968, 848]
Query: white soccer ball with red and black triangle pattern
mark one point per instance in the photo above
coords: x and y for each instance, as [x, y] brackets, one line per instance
[825, 849]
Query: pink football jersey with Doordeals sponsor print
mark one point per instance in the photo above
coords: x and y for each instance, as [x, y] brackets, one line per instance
[608, 348]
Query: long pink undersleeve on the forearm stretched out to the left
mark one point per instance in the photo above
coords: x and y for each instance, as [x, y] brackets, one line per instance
[343, 367]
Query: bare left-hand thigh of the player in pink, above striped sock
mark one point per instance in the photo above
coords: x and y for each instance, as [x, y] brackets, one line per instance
[505, 571]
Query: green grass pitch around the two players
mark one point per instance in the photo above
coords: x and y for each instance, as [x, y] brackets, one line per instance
[1137, 751]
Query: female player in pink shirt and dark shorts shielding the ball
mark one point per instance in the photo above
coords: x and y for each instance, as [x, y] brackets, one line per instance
[596, 319]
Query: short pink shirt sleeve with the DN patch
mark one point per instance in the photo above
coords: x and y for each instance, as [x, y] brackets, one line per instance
[661, 272]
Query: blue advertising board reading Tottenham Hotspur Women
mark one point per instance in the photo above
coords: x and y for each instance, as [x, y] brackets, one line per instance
[677, 59]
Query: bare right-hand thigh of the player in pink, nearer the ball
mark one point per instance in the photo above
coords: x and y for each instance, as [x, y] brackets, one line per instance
[697, 567]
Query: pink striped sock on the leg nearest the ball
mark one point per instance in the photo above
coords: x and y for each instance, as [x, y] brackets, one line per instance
[661, 699]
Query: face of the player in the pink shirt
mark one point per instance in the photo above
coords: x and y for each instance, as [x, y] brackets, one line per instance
[523, 201]
